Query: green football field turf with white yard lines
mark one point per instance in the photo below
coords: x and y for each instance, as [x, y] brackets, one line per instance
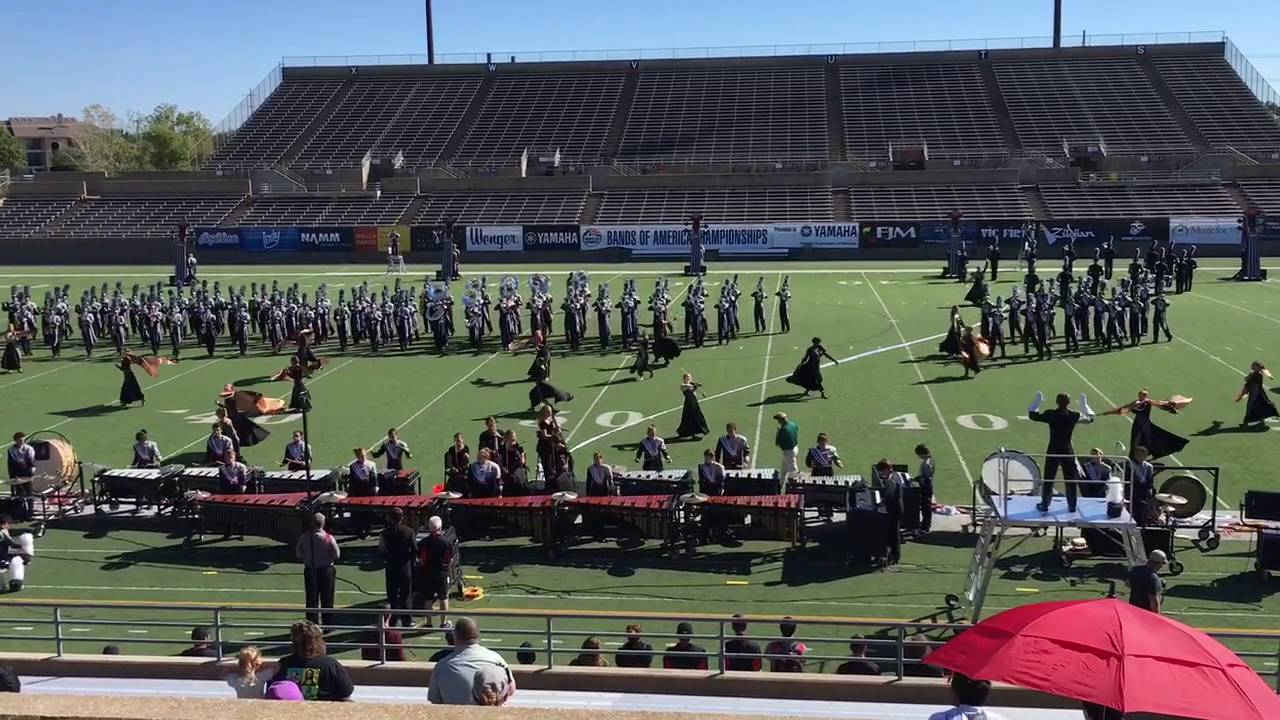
[890, 393]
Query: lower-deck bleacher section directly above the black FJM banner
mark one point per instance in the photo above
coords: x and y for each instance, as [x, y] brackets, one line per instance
[917, 203]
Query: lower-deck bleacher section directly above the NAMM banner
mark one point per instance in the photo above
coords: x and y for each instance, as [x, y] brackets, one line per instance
[327, 211]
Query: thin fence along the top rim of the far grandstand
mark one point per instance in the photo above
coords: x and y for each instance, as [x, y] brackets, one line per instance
[760, 51]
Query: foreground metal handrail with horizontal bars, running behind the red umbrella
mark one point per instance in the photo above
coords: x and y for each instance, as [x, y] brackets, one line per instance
[895, 640]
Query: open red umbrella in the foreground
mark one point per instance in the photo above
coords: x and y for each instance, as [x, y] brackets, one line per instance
[1112, 654]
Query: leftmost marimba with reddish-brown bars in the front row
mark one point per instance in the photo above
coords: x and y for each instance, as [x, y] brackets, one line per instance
[281, 517]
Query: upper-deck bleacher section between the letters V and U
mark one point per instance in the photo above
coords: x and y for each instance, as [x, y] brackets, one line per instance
[728, 116]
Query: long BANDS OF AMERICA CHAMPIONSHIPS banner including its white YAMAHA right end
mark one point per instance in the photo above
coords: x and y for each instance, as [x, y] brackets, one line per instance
[728, 240]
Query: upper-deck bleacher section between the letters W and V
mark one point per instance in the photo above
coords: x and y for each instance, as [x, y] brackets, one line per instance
[570, 112]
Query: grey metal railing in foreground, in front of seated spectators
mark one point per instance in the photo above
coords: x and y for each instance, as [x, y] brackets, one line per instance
[898, 648]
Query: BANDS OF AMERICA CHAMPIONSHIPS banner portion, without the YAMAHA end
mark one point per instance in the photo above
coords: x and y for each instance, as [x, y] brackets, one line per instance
[674, 240]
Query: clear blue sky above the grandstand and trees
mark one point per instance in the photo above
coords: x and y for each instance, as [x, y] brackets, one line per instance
[132, 54]
